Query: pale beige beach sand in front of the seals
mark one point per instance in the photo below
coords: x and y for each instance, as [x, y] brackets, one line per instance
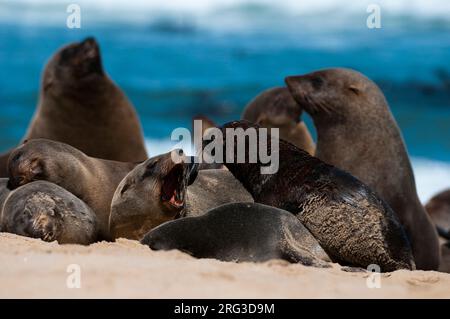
[32, 268]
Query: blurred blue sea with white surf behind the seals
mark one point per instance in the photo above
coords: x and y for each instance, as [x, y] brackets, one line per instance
[176, 59]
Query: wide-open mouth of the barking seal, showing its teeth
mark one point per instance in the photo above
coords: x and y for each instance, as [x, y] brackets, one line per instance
[173, 187]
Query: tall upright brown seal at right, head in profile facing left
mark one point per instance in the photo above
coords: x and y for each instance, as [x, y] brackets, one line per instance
[357, 133]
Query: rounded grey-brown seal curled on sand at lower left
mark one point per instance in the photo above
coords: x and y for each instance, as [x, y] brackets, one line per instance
[49, 212]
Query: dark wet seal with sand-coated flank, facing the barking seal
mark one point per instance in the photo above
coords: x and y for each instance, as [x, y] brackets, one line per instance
[352, 224]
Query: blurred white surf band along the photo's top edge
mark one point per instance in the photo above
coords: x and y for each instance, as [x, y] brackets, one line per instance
[216, 13]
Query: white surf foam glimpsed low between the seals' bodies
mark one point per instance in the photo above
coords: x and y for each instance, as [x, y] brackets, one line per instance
[431, 176]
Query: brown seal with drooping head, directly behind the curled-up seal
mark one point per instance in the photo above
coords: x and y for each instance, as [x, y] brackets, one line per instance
[92, 180]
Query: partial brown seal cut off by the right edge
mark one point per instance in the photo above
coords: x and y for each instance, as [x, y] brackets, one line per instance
[438, 207]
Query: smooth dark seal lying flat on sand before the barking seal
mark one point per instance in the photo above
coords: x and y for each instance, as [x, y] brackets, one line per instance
[240, 232]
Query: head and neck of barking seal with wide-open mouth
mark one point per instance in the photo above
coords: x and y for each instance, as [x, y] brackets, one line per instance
[152, 193]
